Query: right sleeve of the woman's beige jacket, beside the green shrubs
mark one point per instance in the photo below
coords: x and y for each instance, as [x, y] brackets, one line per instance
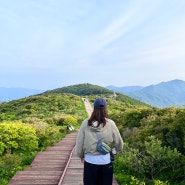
[117, 139]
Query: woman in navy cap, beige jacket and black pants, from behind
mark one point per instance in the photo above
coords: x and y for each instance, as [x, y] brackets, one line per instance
[98, 169]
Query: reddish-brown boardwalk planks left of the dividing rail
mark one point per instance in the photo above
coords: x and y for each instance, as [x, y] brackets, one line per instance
[48, 166]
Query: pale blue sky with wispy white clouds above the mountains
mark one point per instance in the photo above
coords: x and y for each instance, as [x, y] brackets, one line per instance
[48, 44]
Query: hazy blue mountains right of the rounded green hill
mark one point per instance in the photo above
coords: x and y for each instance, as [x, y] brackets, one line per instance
[164, 94]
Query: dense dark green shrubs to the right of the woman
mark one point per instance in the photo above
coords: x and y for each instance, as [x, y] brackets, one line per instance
[154, 146]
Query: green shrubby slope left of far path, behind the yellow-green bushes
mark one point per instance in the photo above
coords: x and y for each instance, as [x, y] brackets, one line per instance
[42, 107]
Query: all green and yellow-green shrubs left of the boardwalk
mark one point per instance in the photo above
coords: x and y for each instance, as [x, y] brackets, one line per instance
[31, 124]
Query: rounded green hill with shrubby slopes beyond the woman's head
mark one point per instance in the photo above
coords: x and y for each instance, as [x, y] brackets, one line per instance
[65, 100]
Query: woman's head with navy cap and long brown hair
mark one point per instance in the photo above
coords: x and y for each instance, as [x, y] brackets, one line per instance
[99, 113]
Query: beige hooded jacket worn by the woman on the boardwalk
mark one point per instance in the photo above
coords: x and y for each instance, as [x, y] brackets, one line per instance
[86, 141]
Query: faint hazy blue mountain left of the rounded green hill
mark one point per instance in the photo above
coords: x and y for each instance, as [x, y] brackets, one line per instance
[8, 94]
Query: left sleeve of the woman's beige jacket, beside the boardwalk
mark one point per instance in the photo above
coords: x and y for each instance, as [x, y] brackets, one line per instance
[80, 142]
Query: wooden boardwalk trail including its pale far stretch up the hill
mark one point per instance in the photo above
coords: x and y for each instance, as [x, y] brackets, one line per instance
[57, 165]
